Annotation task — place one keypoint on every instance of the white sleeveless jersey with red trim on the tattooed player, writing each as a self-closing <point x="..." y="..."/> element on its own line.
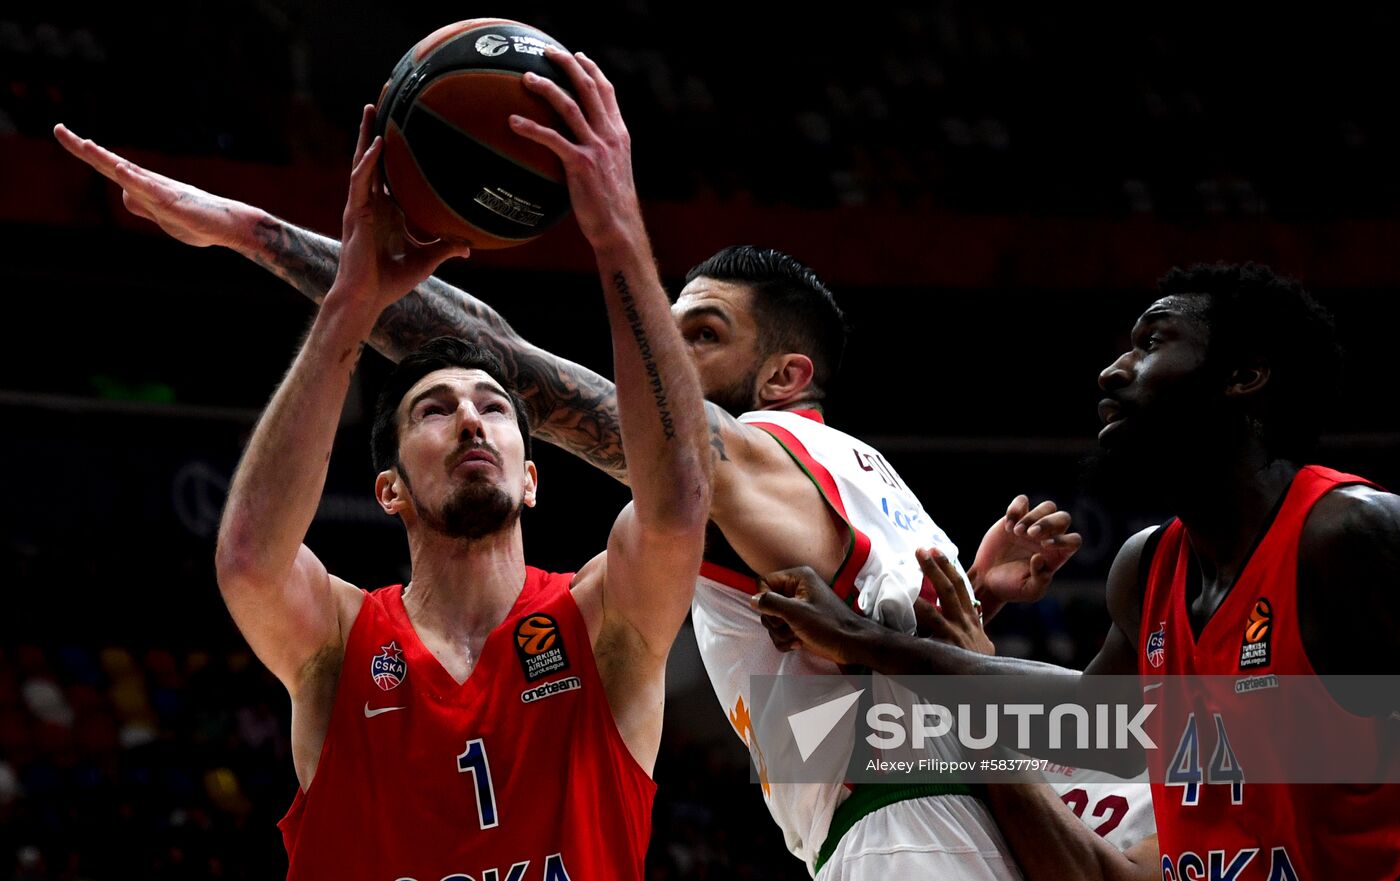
<point x="880" y="578"/>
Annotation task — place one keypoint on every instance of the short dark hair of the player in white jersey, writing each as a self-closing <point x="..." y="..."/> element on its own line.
<point x="793" y="309"/>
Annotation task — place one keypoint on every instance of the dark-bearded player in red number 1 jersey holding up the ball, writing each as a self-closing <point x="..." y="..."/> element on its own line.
<point x="488" y="721"/>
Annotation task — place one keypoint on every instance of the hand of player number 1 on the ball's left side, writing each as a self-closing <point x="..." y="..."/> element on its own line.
<point x="379" y="260"/>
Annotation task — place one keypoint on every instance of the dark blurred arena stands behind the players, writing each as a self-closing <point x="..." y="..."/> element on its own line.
<point x="992" y="193"/>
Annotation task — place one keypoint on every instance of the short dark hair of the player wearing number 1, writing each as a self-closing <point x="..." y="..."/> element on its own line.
<point x="440" y="354"/>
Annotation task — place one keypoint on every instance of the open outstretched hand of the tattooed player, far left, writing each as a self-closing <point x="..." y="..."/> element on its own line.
<point x="187" y="214"/>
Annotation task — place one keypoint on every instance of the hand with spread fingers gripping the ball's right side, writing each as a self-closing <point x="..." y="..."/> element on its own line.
<point x="598" y="162"/>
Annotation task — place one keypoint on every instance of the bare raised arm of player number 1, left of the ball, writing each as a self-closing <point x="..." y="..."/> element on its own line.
<point x="282" y="597"/>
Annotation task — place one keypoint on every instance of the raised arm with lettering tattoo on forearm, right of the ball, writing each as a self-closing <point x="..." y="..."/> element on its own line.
<point x="636" y="596"/>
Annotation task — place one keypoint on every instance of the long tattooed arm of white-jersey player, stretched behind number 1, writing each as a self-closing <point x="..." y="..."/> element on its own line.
<point x="569" y="405"/>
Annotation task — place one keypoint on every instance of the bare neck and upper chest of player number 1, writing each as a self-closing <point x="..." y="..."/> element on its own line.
<point x="464" y="590"/>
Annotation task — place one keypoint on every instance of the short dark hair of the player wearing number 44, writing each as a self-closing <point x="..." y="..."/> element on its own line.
<point x="1252" y="313"/>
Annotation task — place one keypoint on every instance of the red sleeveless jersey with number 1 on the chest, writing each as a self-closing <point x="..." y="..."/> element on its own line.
<point x="516" y="775"/>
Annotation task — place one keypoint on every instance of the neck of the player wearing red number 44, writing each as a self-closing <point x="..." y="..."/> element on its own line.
<point x="1230" y="506"/>
